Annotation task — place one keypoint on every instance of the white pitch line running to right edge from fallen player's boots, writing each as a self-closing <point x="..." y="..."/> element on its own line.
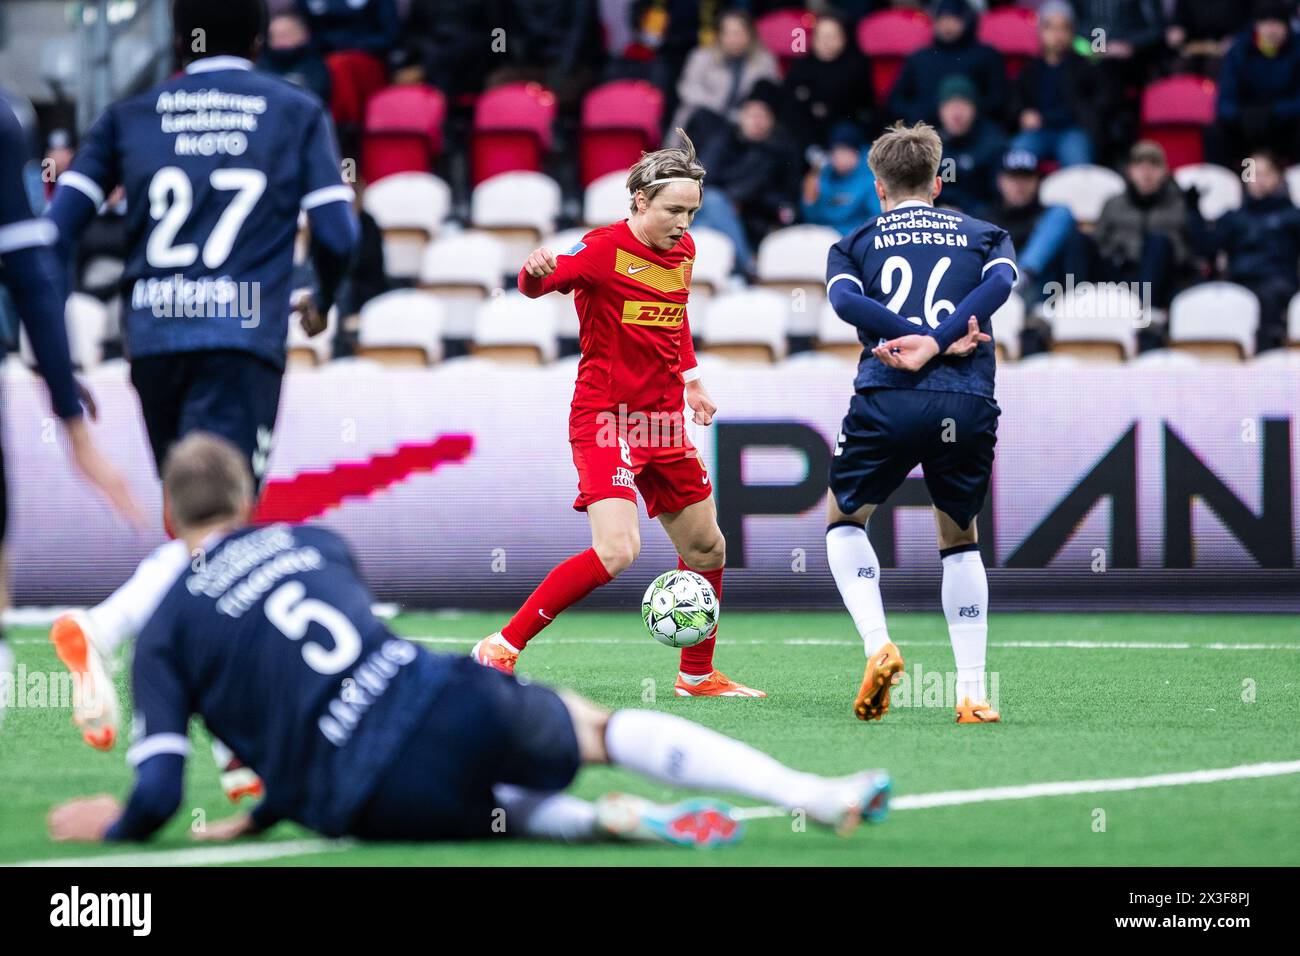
<point x="1029" y="791"/>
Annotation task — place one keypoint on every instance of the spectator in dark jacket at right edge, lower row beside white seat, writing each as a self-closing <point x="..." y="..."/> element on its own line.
<point x="1259" y="245"/>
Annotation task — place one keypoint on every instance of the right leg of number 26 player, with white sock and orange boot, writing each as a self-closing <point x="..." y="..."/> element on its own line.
<point x="965" y="596"/>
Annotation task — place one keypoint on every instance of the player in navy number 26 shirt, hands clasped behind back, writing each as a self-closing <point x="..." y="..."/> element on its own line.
<point x="924" y="396"/>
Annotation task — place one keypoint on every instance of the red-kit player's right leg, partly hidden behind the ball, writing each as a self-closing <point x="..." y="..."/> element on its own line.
<point x="701" y="548"/>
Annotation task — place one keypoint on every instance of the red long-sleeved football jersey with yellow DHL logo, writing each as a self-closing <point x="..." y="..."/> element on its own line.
<point x="632" y="319"/>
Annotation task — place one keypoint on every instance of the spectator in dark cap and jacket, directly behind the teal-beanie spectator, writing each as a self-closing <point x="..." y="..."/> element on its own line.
<point x="955" y="53"/>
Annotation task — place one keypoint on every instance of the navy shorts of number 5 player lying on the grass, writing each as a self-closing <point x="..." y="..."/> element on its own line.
<point x="484" y="729"/>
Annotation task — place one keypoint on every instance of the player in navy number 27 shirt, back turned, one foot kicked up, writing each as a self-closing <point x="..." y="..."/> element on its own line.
<point x="218" y="162"/>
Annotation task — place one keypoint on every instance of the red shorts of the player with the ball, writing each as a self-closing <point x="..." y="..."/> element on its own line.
<point x="669" y="478"/>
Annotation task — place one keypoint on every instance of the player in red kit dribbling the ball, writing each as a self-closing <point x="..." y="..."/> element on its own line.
<point x="631" y="282"/>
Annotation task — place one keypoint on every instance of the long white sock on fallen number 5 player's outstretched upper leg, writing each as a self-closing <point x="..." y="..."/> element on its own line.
<point x="677" y="751"/>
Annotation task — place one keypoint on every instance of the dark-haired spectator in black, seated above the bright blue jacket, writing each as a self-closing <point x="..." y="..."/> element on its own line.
<point x="829" y="85"/>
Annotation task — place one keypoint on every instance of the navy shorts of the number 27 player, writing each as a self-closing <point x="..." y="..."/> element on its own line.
<point x="231" y="393"/>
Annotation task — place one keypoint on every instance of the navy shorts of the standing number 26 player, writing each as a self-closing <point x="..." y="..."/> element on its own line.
<point x="889" y="432"/>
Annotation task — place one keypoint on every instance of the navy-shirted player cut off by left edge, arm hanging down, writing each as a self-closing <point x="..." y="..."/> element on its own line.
<point x="31" y="271"/>
